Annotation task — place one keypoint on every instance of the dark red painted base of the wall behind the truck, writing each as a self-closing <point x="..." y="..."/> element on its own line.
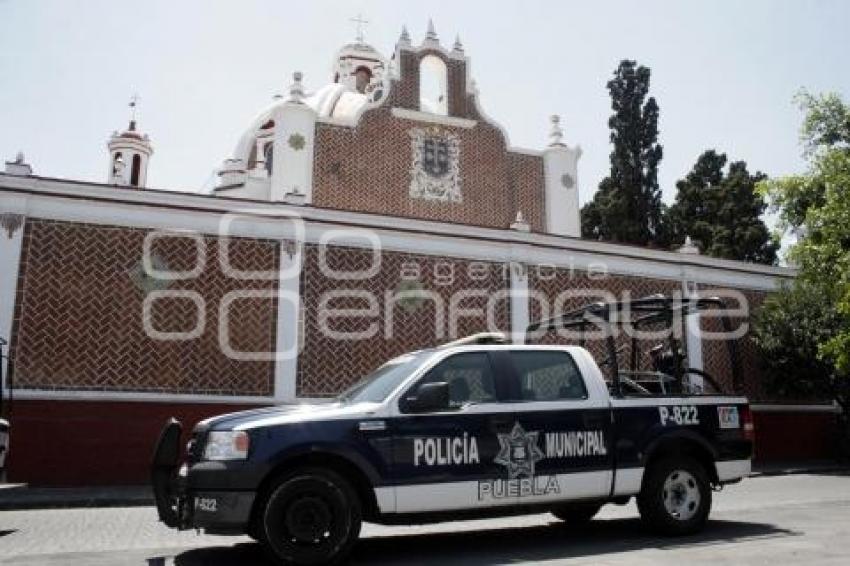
<point x="75" y="443"/>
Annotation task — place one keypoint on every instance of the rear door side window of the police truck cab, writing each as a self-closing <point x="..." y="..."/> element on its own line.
<point x="548" y="376"/>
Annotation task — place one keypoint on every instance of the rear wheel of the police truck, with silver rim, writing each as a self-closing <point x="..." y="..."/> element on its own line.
<point x="676" y="496"/>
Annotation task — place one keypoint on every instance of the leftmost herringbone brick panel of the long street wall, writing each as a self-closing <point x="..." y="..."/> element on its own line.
<point x="78" y="322"/>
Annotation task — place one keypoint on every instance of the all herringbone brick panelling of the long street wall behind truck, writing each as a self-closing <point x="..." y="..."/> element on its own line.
<point x="78" y="322"/>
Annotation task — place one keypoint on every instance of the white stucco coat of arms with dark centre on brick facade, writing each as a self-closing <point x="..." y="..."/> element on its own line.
<point x="435" y="171"/>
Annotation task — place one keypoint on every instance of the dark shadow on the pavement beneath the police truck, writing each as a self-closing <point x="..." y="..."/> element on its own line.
<point x="505" y="545"/>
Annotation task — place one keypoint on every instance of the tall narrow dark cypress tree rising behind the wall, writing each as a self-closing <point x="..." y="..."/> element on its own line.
<point x="627" y="207"/>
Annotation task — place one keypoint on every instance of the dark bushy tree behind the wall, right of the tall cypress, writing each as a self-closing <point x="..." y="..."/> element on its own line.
<point x="721" y="211"/>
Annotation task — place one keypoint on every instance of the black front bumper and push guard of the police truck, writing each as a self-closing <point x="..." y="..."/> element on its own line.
<point x="181" y="506"/>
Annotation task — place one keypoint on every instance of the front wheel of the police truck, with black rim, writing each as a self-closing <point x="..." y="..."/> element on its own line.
<point x="311" y="517"/>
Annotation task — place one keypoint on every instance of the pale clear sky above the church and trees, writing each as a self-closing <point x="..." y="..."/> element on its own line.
<point x="724" y="73"/>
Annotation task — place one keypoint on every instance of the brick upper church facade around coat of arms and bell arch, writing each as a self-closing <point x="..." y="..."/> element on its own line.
<point x="367" y="168"/>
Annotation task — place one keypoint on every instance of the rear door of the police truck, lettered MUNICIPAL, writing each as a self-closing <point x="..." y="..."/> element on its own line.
<point x="564" y="423"/>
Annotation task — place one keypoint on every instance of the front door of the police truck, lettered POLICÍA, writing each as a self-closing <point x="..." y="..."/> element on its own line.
<point x="440" y="457"/>
